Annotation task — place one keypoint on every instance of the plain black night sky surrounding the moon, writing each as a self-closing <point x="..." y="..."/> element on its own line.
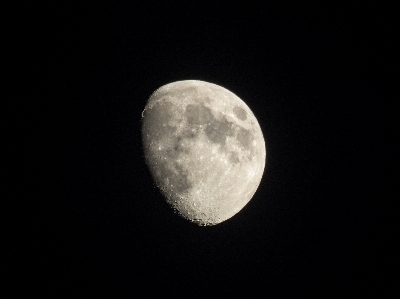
<point x="85" y="219"/>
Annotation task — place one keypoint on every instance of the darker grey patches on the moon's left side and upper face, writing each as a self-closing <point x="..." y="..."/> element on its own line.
<point x="170" y="177"/>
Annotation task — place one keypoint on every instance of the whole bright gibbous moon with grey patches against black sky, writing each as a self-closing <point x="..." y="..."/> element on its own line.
<point x="204" y="149"/>
